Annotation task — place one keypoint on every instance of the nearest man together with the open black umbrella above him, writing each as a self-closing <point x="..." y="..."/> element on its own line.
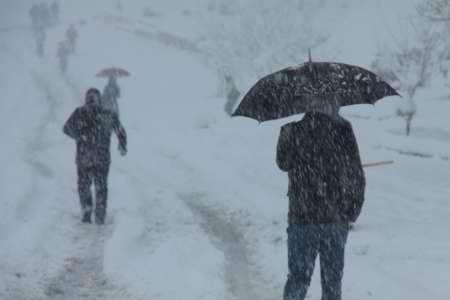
<point x="321" y="157"/>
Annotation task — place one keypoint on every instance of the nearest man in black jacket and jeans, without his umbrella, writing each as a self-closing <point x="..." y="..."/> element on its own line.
<point x="326" y="194"/>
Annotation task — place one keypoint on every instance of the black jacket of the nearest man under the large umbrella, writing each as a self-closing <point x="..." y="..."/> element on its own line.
<point x="326" y="179"/>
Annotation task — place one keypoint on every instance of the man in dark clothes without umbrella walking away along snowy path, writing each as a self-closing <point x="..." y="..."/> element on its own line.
<point x="91" y="127"/>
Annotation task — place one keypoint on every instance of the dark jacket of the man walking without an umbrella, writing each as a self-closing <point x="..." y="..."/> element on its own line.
<point x="91" y="126"/>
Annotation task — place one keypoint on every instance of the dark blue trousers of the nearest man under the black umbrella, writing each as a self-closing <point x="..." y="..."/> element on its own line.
<point x="305" y="242"/>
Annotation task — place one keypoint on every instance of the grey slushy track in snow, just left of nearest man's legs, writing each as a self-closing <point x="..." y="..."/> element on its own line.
<point x="228" y="238"/>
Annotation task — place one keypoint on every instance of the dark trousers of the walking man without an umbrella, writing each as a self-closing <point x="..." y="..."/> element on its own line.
<point x="97" y="174"/>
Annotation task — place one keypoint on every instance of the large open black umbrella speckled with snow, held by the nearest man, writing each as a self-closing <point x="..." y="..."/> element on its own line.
<point x="288" y="91"/>
